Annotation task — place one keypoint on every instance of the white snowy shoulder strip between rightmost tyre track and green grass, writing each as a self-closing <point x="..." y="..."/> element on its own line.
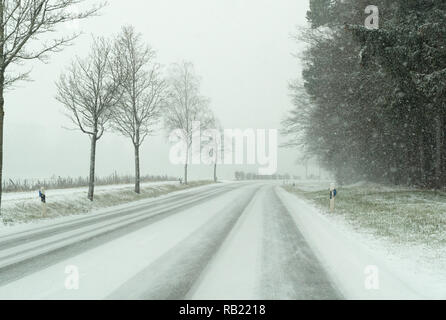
<point x="348" y="258"/>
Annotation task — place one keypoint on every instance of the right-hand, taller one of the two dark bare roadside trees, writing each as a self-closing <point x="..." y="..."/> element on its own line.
<point x="144" y="91"/>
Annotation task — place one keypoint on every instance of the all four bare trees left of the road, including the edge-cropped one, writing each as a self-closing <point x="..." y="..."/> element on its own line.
<point x="118" y="86"/>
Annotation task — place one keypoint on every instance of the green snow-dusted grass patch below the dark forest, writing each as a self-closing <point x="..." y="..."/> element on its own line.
<point x="399" y="214"/>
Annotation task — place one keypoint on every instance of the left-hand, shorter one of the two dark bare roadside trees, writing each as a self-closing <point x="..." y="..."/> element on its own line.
<point x="89" y="91"/>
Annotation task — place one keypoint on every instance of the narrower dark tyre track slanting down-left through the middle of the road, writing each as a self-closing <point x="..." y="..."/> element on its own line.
<point x="173" y="275"/>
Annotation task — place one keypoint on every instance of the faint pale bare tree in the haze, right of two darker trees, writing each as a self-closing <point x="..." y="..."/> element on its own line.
<point x="186" y="107"/>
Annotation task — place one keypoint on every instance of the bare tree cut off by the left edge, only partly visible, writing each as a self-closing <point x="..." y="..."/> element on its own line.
<point x="22" y="24"/>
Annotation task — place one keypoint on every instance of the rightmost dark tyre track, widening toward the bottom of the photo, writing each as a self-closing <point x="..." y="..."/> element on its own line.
<point x="290" y="270"/>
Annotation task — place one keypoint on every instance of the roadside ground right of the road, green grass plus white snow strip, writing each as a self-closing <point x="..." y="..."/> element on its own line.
<point x="376" y="226"/>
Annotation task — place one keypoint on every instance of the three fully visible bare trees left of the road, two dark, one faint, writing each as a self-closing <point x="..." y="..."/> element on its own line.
<point x="120" y="86"/>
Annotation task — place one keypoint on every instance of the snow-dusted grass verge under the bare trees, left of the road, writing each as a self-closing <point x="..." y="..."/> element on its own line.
<point x="25" y="207"/>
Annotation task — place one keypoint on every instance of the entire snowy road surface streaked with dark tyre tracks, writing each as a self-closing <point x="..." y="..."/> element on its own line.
<point x="226" y="241"/>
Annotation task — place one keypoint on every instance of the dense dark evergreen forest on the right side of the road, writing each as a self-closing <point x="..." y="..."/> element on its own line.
<point x="372" y="105"/>
